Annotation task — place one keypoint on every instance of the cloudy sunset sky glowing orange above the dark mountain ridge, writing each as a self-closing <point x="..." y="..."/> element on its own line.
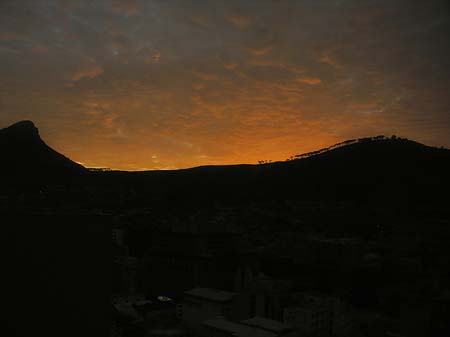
<point x="166" y="84"/>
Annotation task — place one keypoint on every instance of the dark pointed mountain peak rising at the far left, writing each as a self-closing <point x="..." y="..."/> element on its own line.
<point x="27" y="158"/>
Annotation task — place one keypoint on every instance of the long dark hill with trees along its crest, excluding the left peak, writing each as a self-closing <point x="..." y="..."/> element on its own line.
<point x="372" y="170"/>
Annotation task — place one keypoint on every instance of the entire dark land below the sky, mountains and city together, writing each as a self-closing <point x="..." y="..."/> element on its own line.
<point x="351" y="241"/>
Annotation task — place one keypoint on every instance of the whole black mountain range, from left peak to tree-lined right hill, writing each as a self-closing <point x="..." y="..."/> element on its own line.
<point x="368" y="170"/>
